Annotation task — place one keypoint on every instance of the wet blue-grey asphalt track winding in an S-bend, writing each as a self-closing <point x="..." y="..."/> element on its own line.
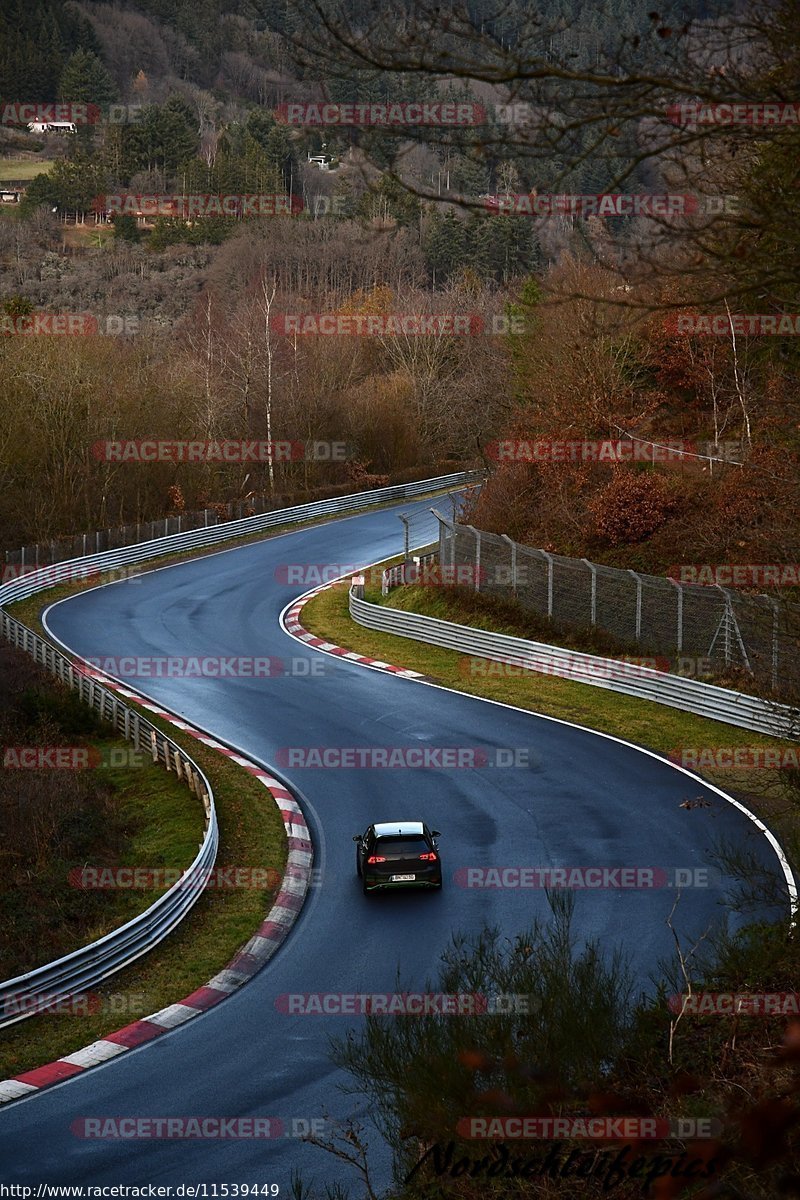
<point x="569" y="799"/>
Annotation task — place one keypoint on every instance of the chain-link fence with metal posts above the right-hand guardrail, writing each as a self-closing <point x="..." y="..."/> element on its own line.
<point x="714" y="631"/>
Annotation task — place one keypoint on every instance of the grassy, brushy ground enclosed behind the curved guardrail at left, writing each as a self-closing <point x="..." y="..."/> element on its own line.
<point x="115" y="808"/>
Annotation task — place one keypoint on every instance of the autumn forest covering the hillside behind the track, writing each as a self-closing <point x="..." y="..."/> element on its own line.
<point x="579" y="337"/>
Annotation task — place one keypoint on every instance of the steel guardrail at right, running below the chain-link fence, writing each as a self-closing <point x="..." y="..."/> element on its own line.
<point x="630" y="680"/>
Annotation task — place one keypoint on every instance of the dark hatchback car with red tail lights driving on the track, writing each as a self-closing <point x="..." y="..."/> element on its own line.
<point x="398" y="855"/>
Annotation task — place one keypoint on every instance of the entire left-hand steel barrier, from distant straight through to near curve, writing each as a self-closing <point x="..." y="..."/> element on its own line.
<point x="34" y="992"/>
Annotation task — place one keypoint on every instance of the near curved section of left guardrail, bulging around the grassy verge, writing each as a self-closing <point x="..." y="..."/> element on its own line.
<point x="34" y="992"/>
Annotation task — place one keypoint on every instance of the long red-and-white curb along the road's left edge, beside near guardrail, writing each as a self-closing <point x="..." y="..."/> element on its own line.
<point x="248" y="961"/>
